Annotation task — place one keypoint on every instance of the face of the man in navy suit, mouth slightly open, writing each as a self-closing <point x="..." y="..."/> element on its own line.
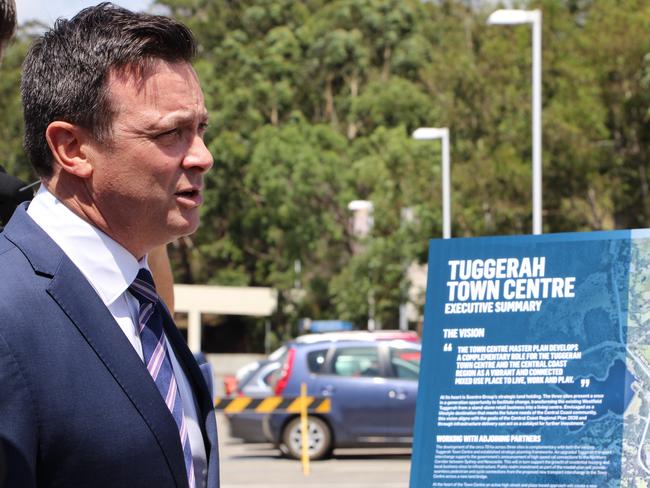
<point x="147" y="180"/>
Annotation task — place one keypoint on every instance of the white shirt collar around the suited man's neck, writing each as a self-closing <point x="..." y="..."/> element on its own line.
<point x="109" y="268"/>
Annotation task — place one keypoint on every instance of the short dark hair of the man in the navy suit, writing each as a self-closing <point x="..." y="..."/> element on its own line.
<point x="66" y="70"/>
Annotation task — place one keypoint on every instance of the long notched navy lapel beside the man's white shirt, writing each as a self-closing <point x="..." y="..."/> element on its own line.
<point x="72" y="292"/>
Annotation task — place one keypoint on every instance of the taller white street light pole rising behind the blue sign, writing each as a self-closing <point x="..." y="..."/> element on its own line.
<point x="534" y="17"/>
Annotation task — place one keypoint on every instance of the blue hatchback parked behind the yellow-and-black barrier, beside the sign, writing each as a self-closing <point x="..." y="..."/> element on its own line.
<point x="372" y="383"/>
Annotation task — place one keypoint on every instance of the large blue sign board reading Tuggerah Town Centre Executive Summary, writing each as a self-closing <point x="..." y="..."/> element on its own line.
<point x="536" y="363"/>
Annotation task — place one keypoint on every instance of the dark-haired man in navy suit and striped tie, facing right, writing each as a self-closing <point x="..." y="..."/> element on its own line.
<point x="92" y="395"/>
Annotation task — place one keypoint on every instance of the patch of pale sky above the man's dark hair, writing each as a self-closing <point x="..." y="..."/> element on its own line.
<point x="47" y="11"/>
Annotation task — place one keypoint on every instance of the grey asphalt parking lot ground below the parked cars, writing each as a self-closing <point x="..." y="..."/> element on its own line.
<point x="260" y="466"/>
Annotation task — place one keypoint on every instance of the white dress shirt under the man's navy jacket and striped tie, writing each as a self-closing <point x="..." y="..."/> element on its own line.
<point x="110" y="269"/>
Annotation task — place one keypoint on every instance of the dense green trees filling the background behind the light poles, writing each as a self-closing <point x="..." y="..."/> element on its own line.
<point x="312" y="105"/>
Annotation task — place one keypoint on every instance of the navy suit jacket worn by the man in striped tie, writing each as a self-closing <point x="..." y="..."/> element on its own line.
<point x="78" y="407"/>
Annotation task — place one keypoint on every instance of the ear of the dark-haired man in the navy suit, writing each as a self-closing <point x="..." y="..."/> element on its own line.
<point x="68" y="143"/>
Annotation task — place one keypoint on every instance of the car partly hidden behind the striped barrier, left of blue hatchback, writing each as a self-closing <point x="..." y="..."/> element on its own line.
<point x="247" y="426"/>
